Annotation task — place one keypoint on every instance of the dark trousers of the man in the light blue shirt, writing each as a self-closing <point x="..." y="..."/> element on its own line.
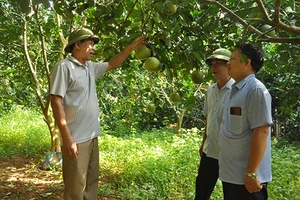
<point x="239" y="192"/>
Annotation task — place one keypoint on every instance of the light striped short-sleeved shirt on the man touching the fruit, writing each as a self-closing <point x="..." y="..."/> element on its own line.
<point x="75" y="83"/>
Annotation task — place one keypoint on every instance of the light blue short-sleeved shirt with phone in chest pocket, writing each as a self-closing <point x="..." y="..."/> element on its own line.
<point x="247" y="106"/>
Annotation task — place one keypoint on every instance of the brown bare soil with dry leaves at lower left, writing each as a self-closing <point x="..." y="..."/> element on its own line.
<point x="24" y="179"/>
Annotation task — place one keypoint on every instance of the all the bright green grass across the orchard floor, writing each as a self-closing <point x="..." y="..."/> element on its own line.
<point x="151" y="165"/>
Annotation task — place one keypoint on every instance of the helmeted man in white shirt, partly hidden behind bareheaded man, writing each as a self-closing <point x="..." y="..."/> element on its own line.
<point x="208" y="171"/>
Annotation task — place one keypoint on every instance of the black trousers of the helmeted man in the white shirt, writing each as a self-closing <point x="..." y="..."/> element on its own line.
<point x="207" y="177"/>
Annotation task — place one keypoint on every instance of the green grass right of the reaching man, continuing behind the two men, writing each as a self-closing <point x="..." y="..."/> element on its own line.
<point x="139" y="165"/>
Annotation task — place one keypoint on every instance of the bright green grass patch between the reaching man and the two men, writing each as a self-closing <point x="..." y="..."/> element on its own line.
<point x="154" y="165"/>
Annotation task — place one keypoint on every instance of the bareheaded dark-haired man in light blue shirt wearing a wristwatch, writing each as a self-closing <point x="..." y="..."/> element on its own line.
<point x="245" y="136"/>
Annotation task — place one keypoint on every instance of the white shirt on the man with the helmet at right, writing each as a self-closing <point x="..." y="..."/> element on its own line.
<point x="212" y="105"/>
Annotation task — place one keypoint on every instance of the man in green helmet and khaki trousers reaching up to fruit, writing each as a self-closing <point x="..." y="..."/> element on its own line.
<point x="75" y="108"/>
